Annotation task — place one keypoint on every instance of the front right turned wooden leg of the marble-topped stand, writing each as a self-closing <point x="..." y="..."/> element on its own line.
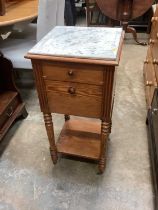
<point x="105" y="130"/>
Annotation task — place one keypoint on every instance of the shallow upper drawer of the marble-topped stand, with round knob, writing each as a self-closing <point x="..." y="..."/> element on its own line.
<point x="82" y="73"/>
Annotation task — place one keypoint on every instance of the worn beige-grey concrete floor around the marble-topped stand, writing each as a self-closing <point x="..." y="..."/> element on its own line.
<point x="29" y="181"/>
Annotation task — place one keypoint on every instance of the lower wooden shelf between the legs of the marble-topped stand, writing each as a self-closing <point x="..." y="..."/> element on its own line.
<point x="80" y="138"/>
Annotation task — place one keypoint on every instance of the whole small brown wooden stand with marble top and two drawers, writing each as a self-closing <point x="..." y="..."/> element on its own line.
<point x="80" y="86"/>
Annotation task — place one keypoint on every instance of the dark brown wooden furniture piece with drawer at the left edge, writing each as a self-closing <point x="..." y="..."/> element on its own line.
<point x="11" y="105"/>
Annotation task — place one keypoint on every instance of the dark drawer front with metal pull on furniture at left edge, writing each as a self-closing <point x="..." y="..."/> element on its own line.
<point x="9" y="111"/>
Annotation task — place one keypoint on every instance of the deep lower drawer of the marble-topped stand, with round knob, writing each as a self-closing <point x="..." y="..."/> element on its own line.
<point x="74" y="98"/>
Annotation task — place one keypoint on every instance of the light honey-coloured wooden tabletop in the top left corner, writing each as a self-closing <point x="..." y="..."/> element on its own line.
<point x="19" y="12"/>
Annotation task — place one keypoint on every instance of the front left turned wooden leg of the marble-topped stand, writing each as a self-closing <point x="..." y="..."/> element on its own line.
<point x="50" y="133"/>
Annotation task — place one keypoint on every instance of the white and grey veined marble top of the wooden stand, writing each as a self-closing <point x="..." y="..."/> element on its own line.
<point x="80" y="42"/>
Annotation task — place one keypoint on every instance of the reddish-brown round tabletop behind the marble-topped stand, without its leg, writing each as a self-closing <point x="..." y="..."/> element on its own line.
<point x="110" y="8"/>
